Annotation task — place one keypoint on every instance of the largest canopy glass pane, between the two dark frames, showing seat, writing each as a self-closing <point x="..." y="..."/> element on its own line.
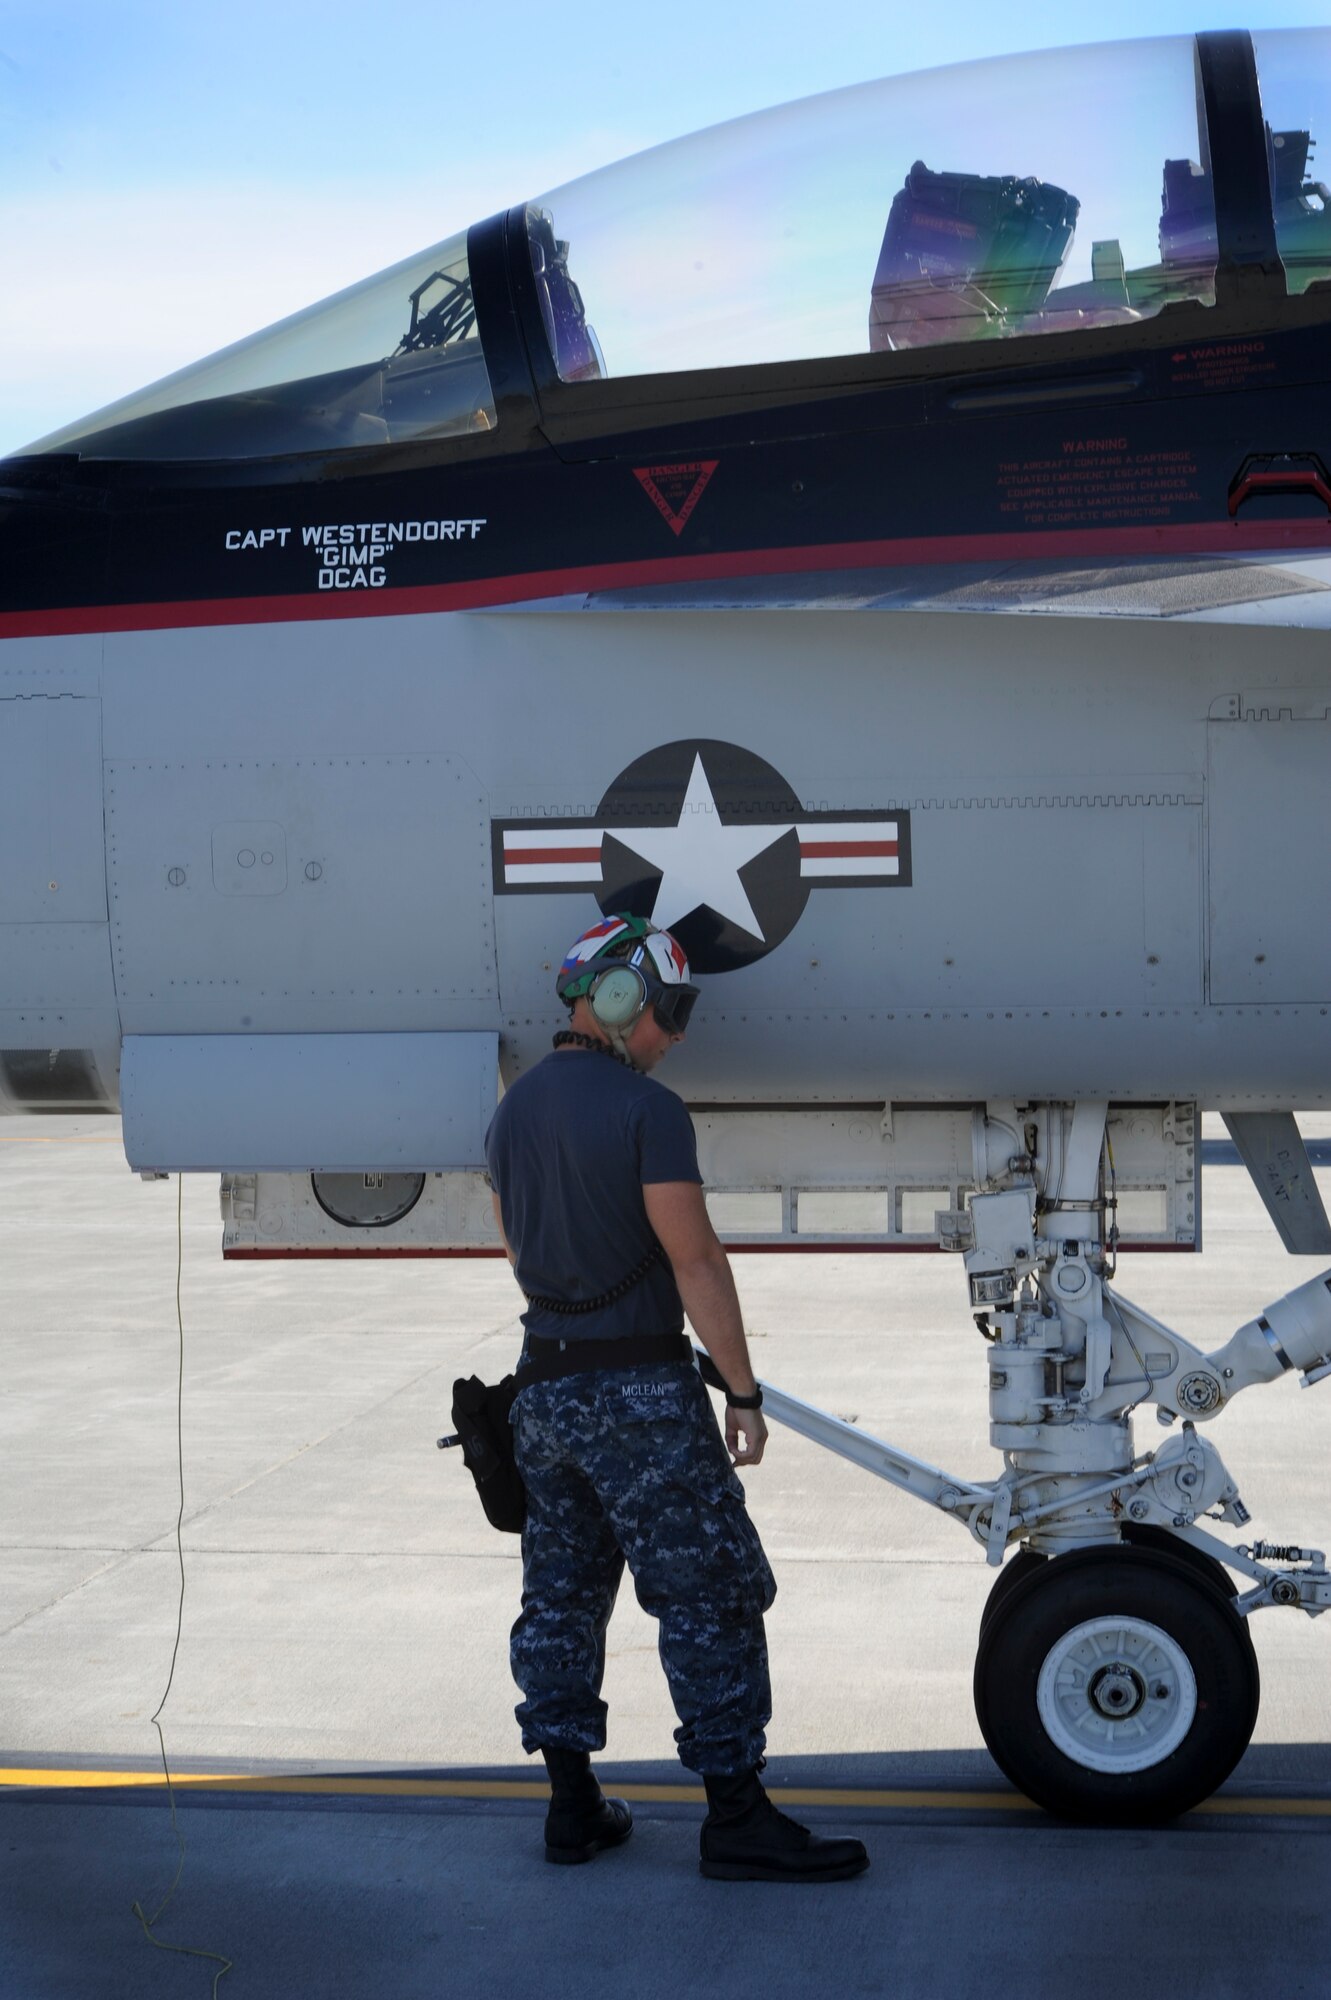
<point x="1024" y="195"/>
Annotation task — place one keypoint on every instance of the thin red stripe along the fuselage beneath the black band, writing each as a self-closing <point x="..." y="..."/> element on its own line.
<point x="1216" y="539"/>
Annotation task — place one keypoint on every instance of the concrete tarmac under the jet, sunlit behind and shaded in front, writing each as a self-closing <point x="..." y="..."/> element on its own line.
<point x="347" y="1619"/>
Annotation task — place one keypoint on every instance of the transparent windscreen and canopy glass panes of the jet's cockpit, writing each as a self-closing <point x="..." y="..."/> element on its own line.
<point x="1022" y="197"/>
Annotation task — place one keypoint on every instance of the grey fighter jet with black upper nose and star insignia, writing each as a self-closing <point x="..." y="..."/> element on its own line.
<point x="884" y="541"/>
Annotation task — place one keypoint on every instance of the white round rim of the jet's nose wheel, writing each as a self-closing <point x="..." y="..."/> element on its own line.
<point x="1116" y="1695"/>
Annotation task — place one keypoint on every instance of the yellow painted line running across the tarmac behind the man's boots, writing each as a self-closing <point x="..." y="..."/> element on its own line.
<point x="649" y="1795"/>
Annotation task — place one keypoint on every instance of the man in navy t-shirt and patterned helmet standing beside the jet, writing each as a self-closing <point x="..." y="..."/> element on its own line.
<point x="597" y="1191"/>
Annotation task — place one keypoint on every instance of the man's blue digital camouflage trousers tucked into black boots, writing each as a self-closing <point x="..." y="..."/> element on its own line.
<point x="629" y="1467"/>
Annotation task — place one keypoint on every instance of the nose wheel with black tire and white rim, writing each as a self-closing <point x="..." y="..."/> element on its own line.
<point x="1116" y="1687"/>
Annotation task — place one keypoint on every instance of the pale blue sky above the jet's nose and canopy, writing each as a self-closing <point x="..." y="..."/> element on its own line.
<point x="175" y="177"/>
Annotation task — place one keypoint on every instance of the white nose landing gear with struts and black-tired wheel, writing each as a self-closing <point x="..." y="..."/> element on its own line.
<point x="1116" y="1677"/>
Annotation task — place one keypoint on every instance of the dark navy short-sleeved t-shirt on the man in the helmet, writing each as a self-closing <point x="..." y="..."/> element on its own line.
<point x="571" y="1149"/>
